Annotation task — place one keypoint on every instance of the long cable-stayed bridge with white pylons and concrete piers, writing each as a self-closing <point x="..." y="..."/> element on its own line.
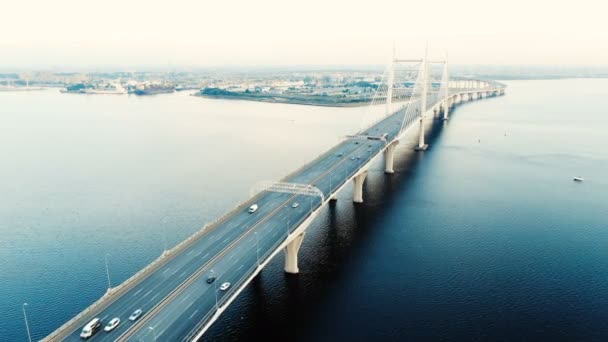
<point x="174" y="293"/>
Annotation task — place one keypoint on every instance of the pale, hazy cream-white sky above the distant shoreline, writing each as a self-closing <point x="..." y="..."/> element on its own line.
<point x="80" y="33"/>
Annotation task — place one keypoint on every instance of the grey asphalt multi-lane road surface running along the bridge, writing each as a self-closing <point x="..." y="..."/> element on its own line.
<point x="176" y="297"/>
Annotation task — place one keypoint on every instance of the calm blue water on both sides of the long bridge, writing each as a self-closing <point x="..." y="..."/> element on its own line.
<point x="483" y="237"/>
